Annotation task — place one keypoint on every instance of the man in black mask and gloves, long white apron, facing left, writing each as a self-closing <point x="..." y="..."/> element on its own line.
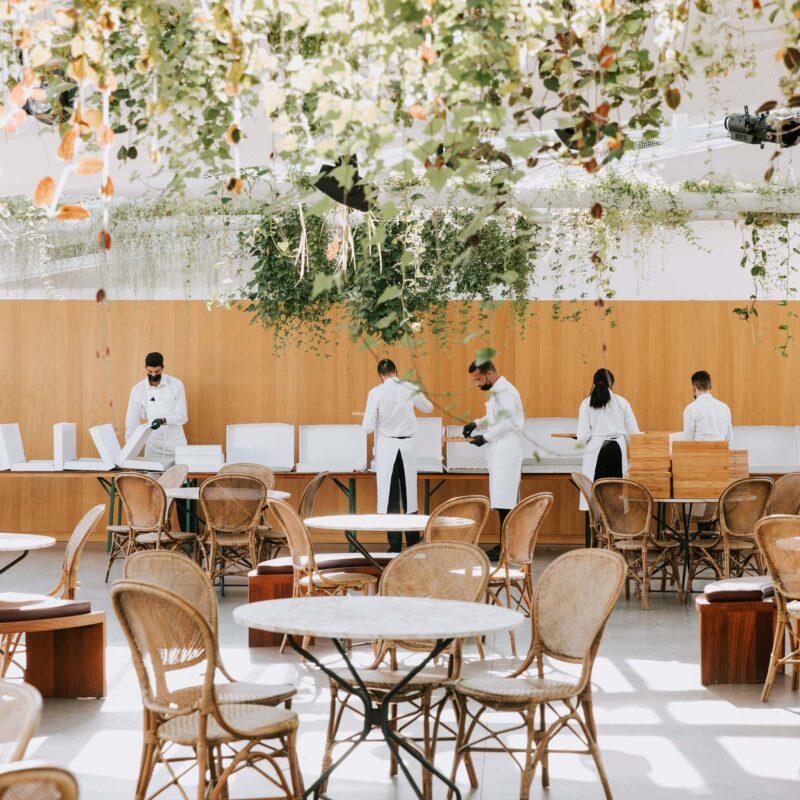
<point x="501" y="430"/>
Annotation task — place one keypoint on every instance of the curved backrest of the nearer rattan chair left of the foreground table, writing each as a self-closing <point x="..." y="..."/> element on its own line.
<point x="169" y="639"/>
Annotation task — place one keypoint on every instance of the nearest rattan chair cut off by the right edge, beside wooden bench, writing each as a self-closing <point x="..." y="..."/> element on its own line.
<point x="778" y="540"/>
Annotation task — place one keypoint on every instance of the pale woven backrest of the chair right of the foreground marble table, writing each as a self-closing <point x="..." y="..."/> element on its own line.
<point x="571" y="603"/>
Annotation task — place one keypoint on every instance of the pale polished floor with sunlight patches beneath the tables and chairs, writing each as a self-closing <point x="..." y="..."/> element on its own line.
<point x="662" y="734"/>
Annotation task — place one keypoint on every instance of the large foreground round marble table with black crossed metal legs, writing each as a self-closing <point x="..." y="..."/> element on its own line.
<point x="376" y="617"/>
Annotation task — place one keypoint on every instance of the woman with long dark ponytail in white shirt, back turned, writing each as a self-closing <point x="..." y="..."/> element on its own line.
<point x="604" y="421"/>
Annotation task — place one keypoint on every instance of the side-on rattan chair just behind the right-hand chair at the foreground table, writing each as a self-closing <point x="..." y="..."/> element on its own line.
<point x="512" y="577"/>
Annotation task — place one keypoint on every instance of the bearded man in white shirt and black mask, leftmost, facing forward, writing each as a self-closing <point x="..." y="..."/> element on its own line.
<point x="160" y="400"/>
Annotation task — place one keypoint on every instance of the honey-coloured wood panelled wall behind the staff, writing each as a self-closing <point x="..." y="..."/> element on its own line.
<point x="75" y="361"/>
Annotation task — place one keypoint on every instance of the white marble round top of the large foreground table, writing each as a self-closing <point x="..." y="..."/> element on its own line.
<point x="376" y="617"/>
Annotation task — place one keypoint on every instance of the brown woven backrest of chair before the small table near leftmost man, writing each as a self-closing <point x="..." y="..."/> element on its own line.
<point x="232" y="503"/>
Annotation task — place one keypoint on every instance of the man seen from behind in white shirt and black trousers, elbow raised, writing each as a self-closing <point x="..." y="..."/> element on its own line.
<point x="390" y="416"/>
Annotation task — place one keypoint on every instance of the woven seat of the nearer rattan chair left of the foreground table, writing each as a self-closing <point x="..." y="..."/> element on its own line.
<point x="254" y="720"/>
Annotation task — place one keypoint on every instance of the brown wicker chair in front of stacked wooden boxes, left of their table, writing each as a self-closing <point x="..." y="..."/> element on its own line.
<point x="626" y="508"/>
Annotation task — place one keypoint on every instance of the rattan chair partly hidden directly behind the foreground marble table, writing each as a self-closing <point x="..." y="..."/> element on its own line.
<point x="441" y="570"/>
